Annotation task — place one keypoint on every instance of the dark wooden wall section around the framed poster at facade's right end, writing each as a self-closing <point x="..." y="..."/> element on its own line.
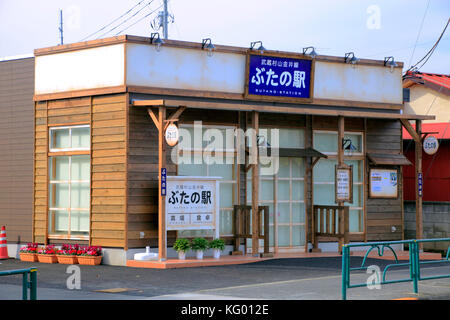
<point x="384" y="136"/>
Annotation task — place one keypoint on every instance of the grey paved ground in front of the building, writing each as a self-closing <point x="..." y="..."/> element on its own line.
<point x="278" y="279"/>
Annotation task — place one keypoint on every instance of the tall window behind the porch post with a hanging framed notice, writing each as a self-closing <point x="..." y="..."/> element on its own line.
<point x="324" y="174"/>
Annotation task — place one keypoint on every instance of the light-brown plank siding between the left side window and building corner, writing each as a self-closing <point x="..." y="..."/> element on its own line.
<point x="108" y="177"/>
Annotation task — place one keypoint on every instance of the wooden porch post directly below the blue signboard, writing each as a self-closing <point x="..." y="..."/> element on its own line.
<point x="255" y="184"/>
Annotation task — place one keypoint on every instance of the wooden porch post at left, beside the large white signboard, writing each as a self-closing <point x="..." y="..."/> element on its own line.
<point x="162" y="234"/>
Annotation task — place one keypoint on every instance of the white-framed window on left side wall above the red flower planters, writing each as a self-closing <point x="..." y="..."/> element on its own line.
<point x="69" y="182"/>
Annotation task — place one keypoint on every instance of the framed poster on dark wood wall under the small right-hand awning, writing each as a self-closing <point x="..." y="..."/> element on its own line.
<point x="383" y="183"/>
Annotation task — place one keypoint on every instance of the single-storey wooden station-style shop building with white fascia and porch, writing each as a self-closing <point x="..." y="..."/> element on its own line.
<point x="101" y="108"/>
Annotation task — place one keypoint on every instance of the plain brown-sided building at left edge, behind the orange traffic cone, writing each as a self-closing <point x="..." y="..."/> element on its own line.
<point x="16" y="148"/>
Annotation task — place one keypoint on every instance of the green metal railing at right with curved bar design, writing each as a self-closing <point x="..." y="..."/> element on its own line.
<point x="413" y="263"/>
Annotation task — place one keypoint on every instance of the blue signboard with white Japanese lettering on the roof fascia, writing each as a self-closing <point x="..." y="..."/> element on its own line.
<point x="279" y="77"/>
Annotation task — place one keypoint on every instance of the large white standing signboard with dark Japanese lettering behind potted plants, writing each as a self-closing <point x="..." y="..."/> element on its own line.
<point x="192" y="203"/>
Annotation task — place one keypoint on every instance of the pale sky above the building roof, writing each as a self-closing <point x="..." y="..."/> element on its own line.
<point x="405" y="29"/>
